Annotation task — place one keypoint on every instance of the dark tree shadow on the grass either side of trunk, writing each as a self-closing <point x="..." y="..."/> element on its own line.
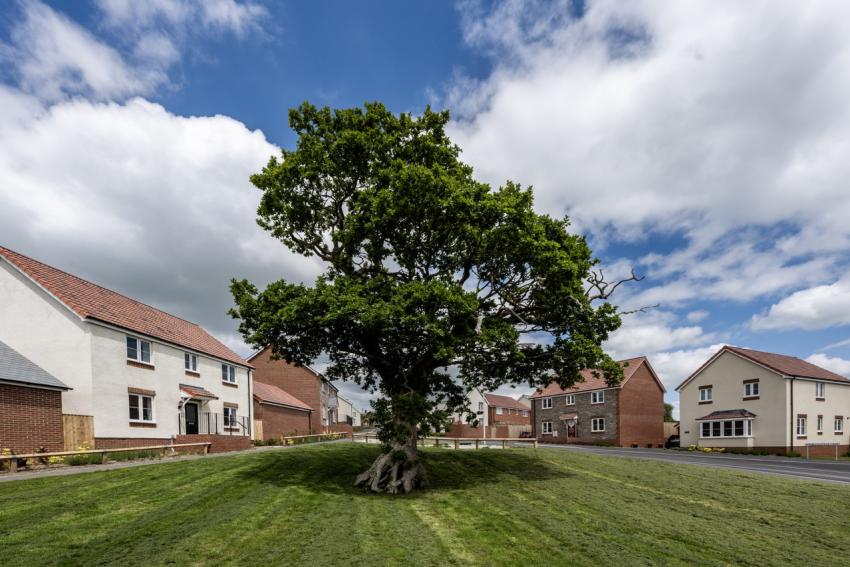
<point x="333" y="468"/>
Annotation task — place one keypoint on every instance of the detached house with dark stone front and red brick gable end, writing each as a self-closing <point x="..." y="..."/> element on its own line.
<point x="630" y="414"/>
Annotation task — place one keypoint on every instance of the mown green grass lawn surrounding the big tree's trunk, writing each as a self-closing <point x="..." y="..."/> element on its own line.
<point x="490" y="507"/>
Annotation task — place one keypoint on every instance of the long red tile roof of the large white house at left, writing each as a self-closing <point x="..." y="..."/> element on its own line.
<point x="91" y="301"/>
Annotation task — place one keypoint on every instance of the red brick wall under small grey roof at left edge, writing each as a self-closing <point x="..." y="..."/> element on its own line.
<point x="30" y="418"/>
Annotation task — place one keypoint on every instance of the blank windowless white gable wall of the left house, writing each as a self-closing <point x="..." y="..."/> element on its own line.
<point x="45" y="331"/>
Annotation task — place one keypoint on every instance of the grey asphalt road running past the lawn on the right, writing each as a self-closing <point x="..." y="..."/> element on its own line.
<point x="800" y="468"/>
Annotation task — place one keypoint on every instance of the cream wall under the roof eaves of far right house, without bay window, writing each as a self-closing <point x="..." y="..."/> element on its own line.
<point x="837" y="402"/>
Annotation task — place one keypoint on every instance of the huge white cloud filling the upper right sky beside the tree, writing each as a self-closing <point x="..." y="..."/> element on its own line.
<point x="725" y="123"/>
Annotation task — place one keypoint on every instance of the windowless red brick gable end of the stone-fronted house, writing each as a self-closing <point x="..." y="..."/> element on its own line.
<point x="641" y="411"/>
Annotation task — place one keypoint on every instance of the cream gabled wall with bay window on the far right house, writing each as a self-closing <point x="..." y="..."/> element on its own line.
<point x="726" y="375"/>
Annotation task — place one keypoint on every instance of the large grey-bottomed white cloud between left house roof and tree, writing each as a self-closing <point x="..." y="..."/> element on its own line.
<point x="145" y="202"/>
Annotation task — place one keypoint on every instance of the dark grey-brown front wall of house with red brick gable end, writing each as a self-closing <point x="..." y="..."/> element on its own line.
<point x="585" y="411"/>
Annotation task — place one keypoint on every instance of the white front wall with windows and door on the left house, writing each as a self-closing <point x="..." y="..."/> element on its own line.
<point x="112" y="376"/>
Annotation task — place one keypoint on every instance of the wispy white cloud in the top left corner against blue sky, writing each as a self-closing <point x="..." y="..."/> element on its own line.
<point x="52" y="56"/>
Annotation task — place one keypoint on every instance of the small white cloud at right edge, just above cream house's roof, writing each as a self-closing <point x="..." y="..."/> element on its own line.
<point x="817" y="307"/>
